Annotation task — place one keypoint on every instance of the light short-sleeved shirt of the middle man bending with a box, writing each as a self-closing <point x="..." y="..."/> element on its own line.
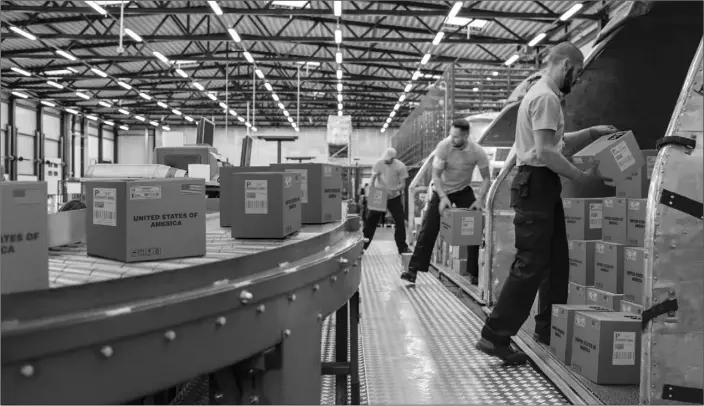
<point x="458" y="164"/>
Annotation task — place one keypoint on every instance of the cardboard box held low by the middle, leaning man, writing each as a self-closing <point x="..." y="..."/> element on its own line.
<point x="462" y="226"/>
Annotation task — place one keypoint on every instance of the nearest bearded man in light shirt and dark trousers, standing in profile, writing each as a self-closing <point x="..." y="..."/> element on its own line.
<point x="541" y="262"/>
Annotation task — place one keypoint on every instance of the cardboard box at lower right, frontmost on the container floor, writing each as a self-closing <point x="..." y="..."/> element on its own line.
<point x="606" y="347"/>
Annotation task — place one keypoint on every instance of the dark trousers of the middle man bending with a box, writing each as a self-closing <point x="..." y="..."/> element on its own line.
<point x="420" y="261"/>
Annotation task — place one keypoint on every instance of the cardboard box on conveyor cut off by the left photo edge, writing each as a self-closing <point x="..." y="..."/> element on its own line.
<point x="25" y="246"/>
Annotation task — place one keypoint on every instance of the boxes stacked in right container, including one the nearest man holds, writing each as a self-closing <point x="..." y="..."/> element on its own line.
<point x="598" y="331"/>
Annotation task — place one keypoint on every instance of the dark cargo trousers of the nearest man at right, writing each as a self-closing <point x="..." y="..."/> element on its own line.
<point x="542" y="261"/>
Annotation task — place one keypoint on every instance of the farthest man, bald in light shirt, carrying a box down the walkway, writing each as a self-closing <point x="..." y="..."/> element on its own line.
<point x="391" y="174"/>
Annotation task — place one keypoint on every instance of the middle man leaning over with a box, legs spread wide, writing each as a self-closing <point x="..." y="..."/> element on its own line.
<point x="453" y="165"/>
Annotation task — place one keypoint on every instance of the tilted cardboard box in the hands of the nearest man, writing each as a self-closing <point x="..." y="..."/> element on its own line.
<point x="618" y="155"/>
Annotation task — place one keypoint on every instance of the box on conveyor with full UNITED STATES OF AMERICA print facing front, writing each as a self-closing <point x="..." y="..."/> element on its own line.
<point x="134" y="220"/>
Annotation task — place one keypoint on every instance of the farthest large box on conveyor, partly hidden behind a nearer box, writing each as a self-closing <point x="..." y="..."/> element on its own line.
<point x="321" y="191"/>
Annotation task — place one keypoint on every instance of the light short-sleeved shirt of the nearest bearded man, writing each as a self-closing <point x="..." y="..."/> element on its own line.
<point x="540" y="109"/>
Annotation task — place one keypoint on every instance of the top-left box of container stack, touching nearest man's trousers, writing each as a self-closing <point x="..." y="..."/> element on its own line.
<point x="583" y="218"/>
